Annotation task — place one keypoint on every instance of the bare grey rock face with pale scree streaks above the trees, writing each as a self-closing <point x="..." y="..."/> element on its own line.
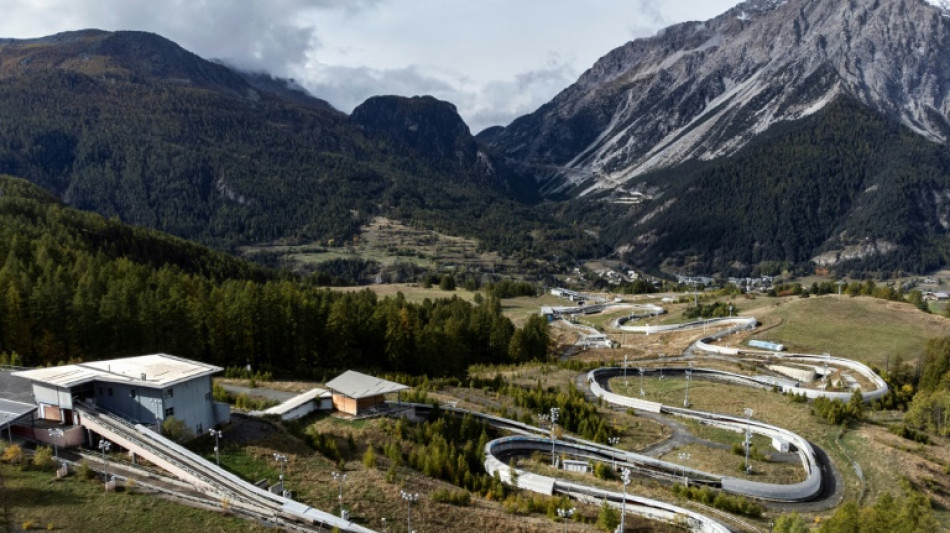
<point x="703" y="90"/>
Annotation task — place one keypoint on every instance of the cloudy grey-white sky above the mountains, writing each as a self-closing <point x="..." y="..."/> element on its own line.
<point x="494" y="59"/>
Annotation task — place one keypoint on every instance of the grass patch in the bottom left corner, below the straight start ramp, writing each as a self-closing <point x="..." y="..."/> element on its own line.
<point x="74" y="505"/>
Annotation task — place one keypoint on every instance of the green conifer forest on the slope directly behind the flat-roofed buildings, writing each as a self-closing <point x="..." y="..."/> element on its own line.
<point x="74" y="285"/>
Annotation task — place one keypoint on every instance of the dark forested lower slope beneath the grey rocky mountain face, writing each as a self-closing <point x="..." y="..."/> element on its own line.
<point x="845" y="180"/>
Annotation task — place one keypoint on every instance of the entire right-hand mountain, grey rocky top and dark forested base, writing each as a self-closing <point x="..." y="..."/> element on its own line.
<point x="697" y="149"/>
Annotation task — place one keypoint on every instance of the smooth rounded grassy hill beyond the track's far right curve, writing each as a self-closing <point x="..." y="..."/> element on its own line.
<point x="864" y="329"/>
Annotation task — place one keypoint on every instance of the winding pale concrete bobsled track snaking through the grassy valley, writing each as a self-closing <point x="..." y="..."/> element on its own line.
<point x="818" y="471"/>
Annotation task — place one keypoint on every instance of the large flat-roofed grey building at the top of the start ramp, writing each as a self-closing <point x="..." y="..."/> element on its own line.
<point x="144" y="390"/>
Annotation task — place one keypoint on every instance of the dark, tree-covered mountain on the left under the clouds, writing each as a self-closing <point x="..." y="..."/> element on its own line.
<point x="129" y="124"/>
